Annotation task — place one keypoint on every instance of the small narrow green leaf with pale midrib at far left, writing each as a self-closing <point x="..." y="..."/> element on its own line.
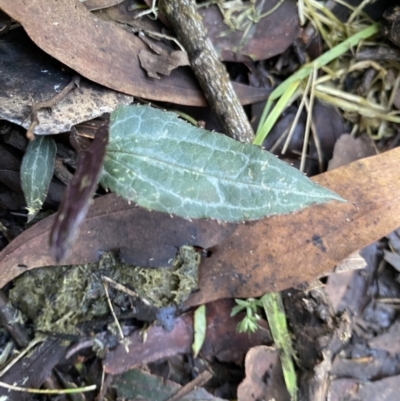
<point x="37" y="171"/>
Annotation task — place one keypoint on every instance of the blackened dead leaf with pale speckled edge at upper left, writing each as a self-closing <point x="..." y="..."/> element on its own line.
<point x="31" y="76"/>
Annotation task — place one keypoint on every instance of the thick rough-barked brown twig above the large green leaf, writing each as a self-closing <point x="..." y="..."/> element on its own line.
<point x="209" y="70"/>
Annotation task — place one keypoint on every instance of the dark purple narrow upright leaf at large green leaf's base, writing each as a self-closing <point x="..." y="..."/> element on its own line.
<point x="79" y="192"/>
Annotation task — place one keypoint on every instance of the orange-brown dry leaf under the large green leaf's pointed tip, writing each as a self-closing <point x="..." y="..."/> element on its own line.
<point x="282" y="251"/>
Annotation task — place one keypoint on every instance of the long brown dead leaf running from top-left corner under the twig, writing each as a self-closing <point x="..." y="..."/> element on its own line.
<point x="105" y="53"/>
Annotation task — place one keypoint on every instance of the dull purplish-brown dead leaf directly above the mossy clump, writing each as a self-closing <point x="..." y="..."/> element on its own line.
<point x="142" y="238"/>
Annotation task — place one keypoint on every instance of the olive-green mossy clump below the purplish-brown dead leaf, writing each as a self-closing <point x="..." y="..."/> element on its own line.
<point x="58" y="298"/>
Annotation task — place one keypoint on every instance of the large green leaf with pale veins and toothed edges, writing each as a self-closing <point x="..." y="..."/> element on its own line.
<point x="163" y="163"/>
